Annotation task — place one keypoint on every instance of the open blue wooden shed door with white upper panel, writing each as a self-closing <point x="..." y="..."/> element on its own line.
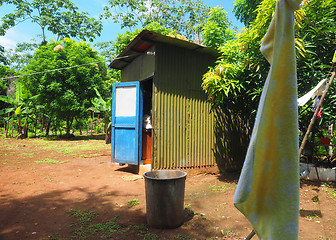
<point x="126" y="123"/>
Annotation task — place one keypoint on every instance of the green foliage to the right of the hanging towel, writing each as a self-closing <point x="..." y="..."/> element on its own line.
<point x="316" y="63"/>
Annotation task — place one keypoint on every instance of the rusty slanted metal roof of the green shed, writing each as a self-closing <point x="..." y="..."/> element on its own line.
<point x="146" y="39"/>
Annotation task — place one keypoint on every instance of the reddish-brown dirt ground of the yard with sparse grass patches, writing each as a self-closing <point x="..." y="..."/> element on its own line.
<point x="69" y="189"/>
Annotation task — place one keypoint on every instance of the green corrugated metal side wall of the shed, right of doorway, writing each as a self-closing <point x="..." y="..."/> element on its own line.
<point x="183" y="126"/>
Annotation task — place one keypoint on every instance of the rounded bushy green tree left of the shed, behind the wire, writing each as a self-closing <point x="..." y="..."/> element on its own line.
<point x="66" y="93"/>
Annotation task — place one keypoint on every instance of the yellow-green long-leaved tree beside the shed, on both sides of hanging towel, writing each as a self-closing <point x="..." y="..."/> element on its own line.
<point x="237" y="80"/>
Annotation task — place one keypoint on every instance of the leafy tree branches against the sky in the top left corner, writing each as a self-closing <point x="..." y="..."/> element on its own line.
<point x="61" y="17"/>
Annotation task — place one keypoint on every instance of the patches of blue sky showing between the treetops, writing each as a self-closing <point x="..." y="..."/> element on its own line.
<point x="26" y="31"/>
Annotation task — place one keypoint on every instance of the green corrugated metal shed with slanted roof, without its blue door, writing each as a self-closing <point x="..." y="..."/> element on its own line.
<point x="170" y="72"/>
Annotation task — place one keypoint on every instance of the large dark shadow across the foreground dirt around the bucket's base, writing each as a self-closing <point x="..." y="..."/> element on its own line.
<point x="48" y="216"/>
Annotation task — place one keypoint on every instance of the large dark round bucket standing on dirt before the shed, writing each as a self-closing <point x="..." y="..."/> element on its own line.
<point x="165" y="198"/>
